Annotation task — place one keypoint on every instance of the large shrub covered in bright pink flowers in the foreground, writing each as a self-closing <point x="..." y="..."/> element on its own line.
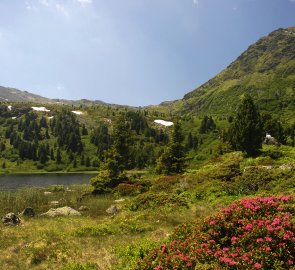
<point x="255" y="233"/>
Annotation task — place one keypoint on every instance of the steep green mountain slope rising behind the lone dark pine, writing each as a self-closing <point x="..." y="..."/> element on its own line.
<point x="266" y="70"/>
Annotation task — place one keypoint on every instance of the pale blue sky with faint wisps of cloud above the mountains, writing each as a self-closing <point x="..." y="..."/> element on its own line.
<point x="135" y="52"/>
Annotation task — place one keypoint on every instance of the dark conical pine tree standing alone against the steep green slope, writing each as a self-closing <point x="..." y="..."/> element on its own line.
<point x="246" y="133"/>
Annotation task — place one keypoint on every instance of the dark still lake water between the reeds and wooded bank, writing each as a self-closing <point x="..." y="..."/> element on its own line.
<point x="13" y="182"/>
